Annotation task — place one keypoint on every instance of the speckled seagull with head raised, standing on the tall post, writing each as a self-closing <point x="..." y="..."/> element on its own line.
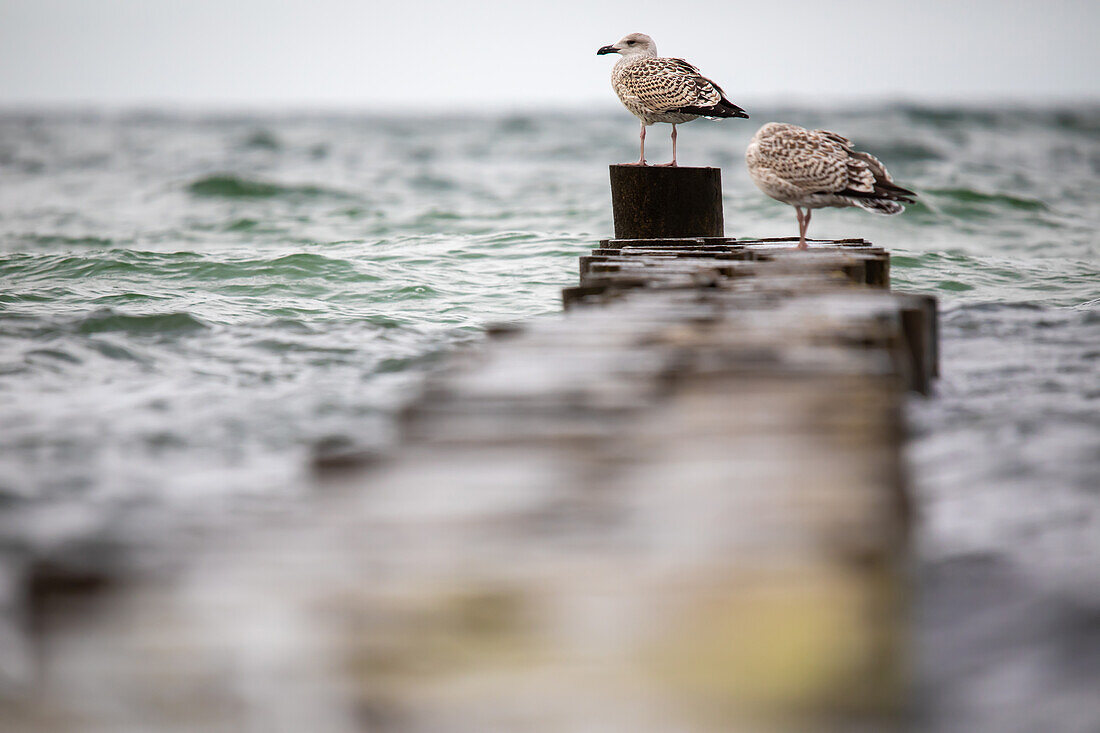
<point x="658" y="90"/>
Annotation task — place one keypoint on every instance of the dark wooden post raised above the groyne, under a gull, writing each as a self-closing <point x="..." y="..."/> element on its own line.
<point x="655" y="203"/>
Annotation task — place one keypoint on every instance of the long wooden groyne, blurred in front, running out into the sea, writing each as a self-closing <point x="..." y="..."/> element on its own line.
<point x="678" y="507"/>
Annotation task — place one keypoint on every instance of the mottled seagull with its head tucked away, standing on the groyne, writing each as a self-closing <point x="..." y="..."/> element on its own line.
<point x="815" y="169"/>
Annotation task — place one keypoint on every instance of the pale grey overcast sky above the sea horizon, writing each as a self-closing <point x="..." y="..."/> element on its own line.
<point x="437" y="57"/>
